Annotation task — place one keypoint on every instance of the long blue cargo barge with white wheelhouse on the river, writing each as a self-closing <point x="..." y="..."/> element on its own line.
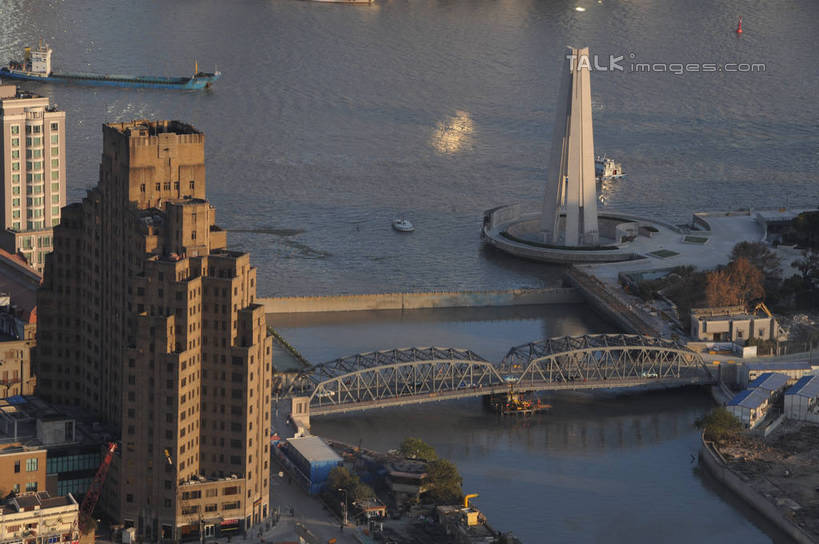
<point x="36" y="66"/>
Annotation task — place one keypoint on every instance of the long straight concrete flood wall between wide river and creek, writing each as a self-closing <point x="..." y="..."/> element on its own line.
<point x="418" y="301"/>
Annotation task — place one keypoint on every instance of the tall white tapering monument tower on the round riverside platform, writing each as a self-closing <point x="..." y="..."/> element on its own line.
<point x="570" y="204"/>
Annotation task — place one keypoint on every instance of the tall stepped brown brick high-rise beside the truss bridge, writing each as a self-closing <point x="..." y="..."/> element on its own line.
<point x="148" y="322"/>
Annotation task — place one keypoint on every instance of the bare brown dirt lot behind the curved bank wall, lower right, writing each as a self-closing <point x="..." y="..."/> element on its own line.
<point x="784" y="467"/>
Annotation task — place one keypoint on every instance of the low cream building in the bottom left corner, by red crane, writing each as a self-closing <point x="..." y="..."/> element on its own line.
<point x="39" y="518"/>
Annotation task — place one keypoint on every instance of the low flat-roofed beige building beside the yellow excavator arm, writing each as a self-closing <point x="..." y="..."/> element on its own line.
<point x="733" y="324"/>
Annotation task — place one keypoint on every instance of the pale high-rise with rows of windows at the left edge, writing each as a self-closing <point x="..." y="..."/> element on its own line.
<point x="32" y="173"/>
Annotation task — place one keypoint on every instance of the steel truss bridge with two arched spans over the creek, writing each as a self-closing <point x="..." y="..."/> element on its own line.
<point x="414" y="375"/>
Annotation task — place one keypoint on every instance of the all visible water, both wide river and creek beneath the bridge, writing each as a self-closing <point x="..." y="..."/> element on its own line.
<point x="331" y="120"/>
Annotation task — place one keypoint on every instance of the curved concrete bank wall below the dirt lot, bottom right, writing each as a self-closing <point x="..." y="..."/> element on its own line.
<point x="718" y="468"/>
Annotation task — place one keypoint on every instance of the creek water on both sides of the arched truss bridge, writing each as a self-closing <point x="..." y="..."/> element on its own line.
<point x="597" y="468"/>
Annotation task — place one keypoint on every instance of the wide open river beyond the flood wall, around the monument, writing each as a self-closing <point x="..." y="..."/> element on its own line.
<point x="331" y="120"/>
